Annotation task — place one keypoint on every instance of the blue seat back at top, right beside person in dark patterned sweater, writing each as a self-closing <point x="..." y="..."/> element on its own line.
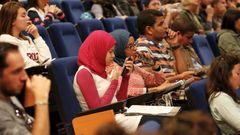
<point x="73" y="10"/>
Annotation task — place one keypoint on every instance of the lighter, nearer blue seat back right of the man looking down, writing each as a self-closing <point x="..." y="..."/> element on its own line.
<point x="203" y="50"/>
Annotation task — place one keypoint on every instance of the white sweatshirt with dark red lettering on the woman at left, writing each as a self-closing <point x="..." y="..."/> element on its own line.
<point x="34" y="52"/>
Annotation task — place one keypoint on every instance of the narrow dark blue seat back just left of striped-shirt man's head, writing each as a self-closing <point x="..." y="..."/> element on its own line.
<point x="131" y="23"/>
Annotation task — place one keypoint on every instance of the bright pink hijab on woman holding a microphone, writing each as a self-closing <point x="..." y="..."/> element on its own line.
<point x="93" y="52"/>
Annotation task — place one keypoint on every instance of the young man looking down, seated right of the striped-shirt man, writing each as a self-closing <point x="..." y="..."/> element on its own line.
<point x="184" y="52"/>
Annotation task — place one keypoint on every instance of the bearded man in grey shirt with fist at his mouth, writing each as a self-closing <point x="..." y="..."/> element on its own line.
<point x="13" y="78"/>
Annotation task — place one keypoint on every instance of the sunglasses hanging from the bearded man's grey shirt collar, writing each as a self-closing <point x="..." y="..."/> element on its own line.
<point x="21" y="114"/>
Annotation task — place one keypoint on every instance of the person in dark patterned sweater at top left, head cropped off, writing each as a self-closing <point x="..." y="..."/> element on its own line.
<point x="43" y="14"/>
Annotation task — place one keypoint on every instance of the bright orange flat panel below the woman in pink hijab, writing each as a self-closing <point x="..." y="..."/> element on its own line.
<point x="89" y="124"/>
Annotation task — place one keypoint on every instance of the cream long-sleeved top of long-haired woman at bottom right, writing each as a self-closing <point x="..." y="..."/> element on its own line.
<point x="226" y="113"/>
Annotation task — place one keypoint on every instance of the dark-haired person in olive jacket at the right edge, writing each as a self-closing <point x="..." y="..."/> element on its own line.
<point x="228" y="37"/>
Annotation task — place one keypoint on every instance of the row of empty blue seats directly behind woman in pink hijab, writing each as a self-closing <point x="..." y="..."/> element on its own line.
<point x="64" y="39"/>
